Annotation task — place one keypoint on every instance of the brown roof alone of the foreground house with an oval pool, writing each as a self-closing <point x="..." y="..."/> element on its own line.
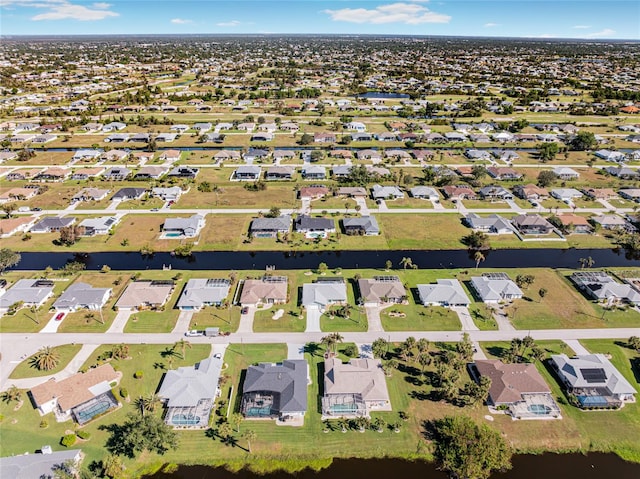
<point x="510" y="381"/>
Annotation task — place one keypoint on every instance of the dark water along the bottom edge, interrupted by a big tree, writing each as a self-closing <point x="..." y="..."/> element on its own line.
<point x="570" y="466"/>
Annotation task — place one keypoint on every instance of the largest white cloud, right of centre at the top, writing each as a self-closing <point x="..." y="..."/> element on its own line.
<point x="407" y="13"/>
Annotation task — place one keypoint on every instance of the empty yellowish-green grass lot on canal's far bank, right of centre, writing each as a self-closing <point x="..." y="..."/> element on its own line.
<point x="429" y="231"/>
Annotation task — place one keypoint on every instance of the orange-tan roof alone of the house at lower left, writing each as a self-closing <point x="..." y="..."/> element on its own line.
<point x="75" y="390"/>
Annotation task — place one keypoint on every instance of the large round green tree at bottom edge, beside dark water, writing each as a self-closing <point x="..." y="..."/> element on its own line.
<point x="468" y="450"/>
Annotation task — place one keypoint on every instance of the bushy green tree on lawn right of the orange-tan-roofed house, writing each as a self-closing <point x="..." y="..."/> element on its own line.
<point x="141" y="433"/>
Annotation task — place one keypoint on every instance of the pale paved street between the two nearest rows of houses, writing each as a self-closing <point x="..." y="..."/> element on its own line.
<point x="16" y="345"/>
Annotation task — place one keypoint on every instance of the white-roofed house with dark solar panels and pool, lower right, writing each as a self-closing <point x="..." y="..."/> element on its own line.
<point x="593" y="380"/>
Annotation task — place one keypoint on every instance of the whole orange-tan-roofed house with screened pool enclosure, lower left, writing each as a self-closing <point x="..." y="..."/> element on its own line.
<point x="77" y="396"/>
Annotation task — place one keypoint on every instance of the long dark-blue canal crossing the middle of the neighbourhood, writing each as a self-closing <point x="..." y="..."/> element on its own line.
<point x="424" y="259"/>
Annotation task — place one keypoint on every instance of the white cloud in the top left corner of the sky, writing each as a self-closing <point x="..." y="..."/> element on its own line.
<point x="64" y="10"/>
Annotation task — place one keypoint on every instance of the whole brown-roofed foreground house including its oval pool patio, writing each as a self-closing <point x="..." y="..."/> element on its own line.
<point x="518" y="388"/>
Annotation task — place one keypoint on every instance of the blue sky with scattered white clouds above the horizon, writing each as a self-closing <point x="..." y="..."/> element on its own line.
<point x="588" y="19"/>
